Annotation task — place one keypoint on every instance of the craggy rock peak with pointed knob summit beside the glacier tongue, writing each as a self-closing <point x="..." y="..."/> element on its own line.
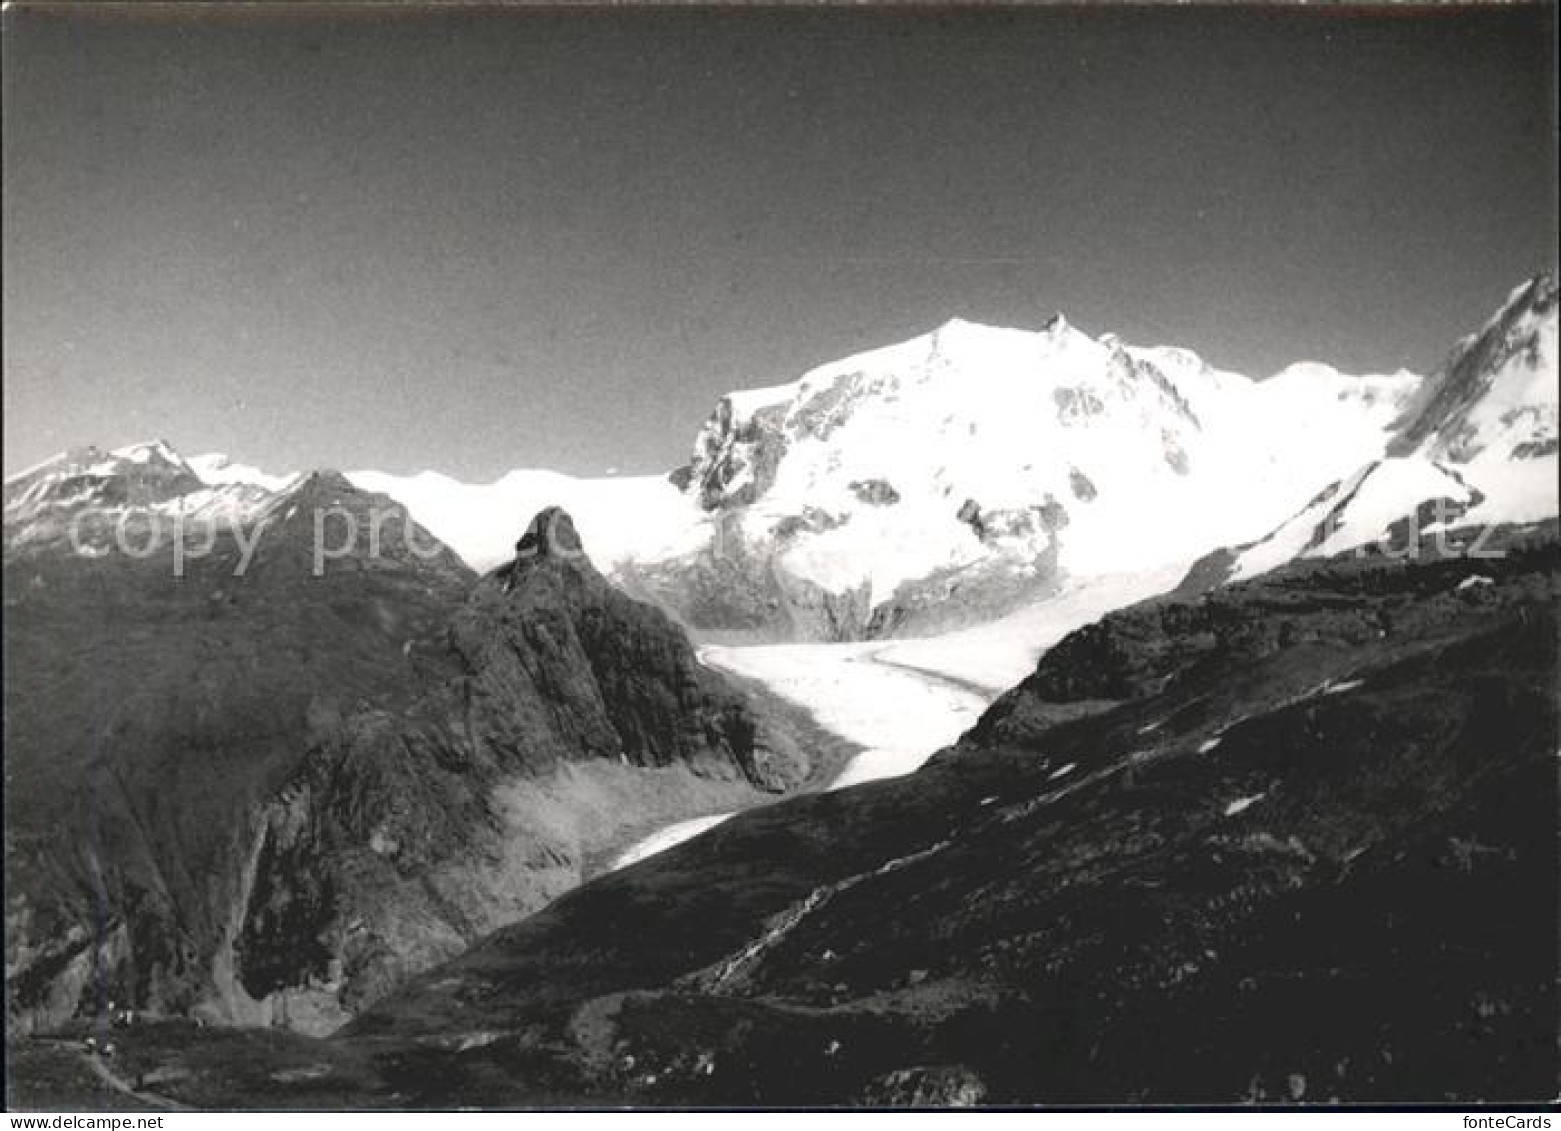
<point x="405" y="842"/>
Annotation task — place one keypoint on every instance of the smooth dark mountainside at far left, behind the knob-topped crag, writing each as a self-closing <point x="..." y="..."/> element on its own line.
<point x="155" y="701"/>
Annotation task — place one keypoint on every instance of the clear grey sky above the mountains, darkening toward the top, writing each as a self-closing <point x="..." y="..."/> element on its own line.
<point x="478" y="239"/>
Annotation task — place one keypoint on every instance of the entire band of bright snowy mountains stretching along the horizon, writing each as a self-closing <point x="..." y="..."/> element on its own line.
<point x="962" y="475"/>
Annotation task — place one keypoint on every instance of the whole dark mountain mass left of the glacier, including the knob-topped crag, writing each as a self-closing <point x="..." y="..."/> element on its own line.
<point x="271" y="767"/>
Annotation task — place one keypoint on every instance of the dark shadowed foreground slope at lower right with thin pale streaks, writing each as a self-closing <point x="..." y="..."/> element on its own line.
<point x="1293" y="840"/>
